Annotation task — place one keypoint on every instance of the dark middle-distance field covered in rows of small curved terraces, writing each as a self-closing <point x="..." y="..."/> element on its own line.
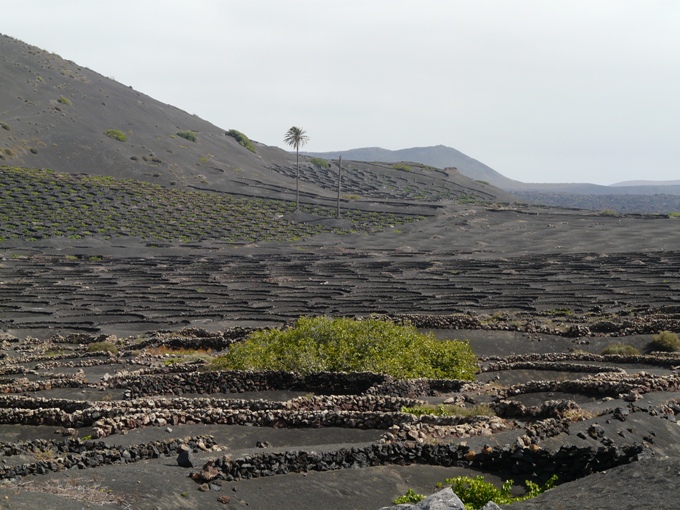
<point x="108" y="293"/>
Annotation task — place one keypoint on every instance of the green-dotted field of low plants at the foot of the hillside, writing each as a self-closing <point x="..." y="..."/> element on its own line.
<point x="39" y="204"/>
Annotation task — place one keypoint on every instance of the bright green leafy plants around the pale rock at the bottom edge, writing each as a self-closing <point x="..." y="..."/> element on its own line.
<point x="476" y="492"/>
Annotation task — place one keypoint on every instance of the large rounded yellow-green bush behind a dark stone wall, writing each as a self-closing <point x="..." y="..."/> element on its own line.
<point x="345" y="345"/>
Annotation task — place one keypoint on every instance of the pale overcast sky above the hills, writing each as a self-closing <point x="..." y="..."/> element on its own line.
<point x="541" y="91"/>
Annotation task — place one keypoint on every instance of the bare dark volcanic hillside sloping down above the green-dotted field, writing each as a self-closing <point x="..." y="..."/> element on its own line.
<point x="56" y="114"/>
